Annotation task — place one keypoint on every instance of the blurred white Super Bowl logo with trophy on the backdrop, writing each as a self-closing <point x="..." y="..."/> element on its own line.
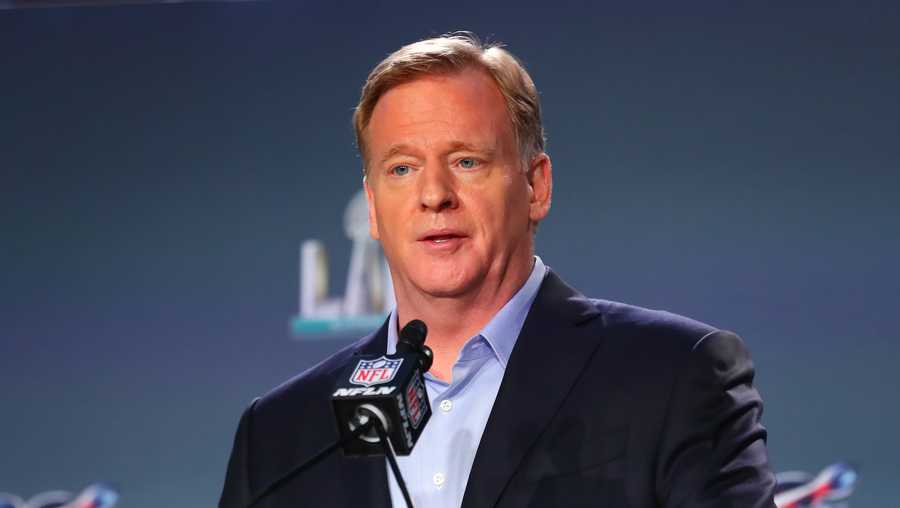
<point x="368" y="294"/>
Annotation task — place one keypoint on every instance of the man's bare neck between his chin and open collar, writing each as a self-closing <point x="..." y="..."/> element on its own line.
<point x="452" y="321"/>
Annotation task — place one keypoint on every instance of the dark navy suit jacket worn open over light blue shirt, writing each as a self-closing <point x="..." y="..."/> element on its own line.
<point x="602" y="404"/>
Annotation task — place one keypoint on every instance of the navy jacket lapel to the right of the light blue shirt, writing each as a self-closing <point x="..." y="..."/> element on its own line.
<point x="548" y="357"/>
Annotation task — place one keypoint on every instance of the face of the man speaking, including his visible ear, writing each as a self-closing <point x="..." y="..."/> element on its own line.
<point x="449" y="198"/>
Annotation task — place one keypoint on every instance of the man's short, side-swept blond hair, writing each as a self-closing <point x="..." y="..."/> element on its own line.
<point x="449" y="54"/>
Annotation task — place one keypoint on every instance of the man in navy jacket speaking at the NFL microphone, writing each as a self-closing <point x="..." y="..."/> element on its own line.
<point x="542" y="397"/>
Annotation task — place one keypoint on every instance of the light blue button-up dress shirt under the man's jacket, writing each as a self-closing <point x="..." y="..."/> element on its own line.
<point x="437" y="470"/>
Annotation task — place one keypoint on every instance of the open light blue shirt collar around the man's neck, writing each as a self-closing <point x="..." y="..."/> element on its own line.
<point x="503" y="329"/>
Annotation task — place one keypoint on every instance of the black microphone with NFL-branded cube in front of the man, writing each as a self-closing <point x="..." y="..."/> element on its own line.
<point x="387" y="391"/>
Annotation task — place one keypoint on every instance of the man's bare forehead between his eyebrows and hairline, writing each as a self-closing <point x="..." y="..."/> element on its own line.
<point x="440" y="110"/>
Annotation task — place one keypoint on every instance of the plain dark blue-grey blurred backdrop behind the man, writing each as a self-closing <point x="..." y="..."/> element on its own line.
<point x="161" y="164"/>
